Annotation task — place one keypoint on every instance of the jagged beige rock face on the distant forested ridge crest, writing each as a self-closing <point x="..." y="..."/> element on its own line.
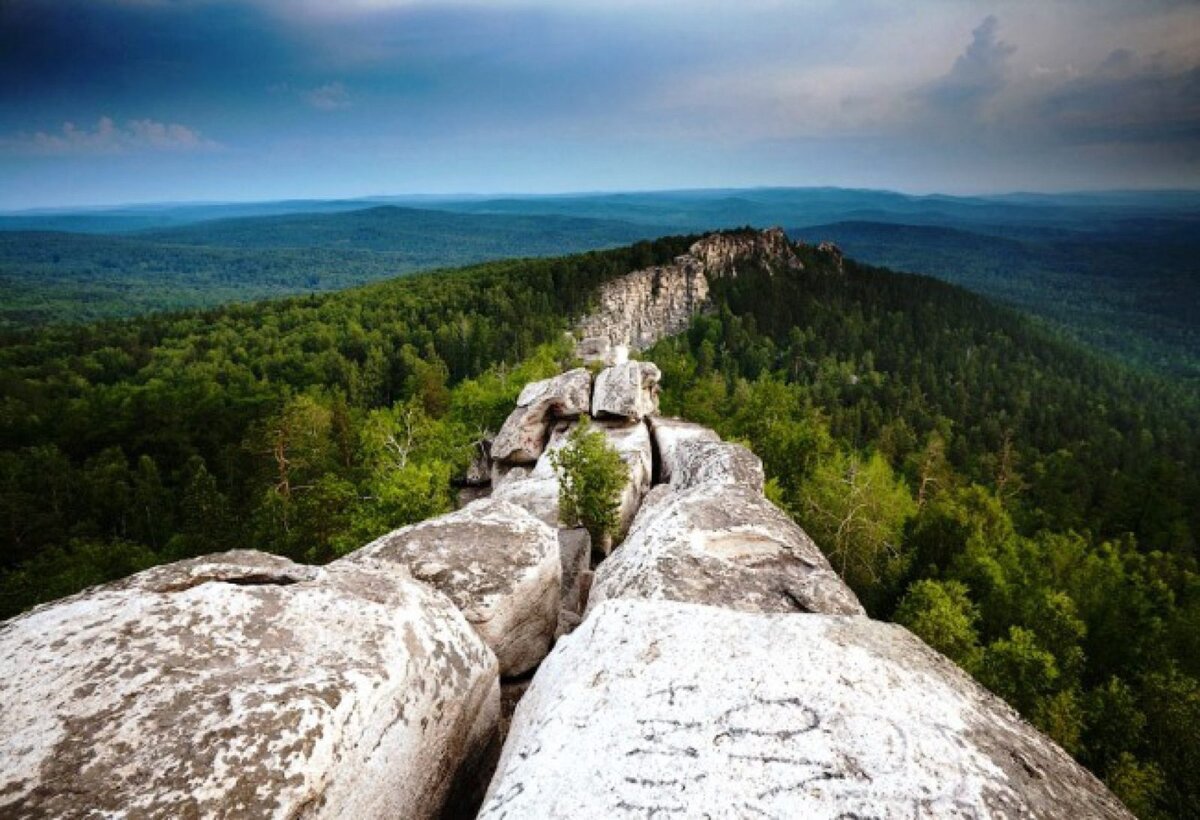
<point x="639" y="309"/>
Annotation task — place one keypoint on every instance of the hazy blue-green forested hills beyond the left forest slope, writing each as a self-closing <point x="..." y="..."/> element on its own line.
<point x="49" y="277"/>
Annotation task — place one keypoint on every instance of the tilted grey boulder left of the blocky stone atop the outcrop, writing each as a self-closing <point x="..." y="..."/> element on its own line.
<point x="524" y="435"/>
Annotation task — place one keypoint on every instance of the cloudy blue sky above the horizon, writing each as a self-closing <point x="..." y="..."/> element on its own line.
<point x="122" y="101"/>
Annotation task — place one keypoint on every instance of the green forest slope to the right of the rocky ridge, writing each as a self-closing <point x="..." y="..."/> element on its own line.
<point x="1028" y="508"/>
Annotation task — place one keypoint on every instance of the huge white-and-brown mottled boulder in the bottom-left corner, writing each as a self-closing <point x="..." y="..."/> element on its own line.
<point x="243" y="686"/>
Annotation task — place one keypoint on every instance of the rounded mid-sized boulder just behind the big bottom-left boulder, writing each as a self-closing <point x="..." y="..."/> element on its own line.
<point x="497" y="562"/>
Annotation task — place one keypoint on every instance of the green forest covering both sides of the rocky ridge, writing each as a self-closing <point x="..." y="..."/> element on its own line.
<point x="1027" y="507"/>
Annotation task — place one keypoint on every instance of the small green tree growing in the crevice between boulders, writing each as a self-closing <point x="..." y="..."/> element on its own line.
<point x="591" y="477"/>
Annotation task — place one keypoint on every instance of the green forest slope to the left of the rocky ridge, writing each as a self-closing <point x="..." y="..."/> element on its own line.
<point x="305" y="428"/>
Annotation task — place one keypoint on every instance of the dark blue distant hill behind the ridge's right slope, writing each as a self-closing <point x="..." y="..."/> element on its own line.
<point x="1132" y="290"/>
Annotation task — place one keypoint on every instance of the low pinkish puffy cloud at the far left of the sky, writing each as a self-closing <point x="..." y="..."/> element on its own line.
<point x="109" y="137"/>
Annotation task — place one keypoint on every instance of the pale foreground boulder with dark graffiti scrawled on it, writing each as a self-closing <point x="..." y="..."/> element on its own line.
<point x="659" y="709"/>
